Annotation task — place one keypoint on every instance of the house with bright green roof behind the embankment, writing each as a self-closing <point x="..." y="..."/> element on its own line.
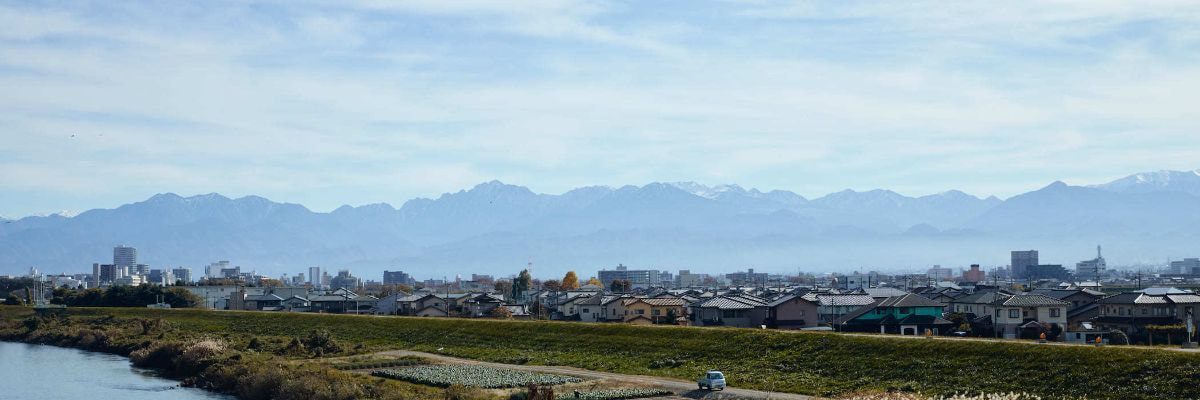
<point x="907" y="315"/>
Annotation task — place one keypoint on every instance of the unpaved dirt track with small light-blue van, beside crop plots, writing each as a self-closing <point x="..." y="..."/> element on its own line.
<point x="683" y="389"/>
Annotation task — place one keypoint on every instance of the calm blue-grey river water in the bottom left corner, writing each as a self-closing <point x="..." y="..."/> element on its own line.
<point x="46" y="373"/>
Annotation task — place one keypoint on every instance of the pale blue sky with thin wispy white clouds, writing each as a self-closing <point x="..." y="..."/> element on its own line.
<point x="355" y="103"/>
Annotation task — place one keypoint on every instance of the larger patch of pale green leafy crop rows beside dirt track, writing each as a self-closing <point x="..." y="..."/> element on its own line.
<point x="472" y="377"/>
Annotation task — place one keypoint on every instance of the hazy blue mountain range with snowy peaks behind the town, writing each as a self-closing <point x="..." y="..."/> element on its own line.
<point x="497" y="229"/>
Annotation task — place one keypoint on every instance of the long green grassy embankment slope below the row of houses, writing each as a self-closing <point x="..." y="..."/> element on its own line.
<point x="809" y="363"/>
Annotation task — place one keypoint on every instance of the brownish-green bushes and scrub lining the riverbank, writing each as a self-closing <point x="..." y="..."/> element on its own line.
<point x="277" y="369"/>
